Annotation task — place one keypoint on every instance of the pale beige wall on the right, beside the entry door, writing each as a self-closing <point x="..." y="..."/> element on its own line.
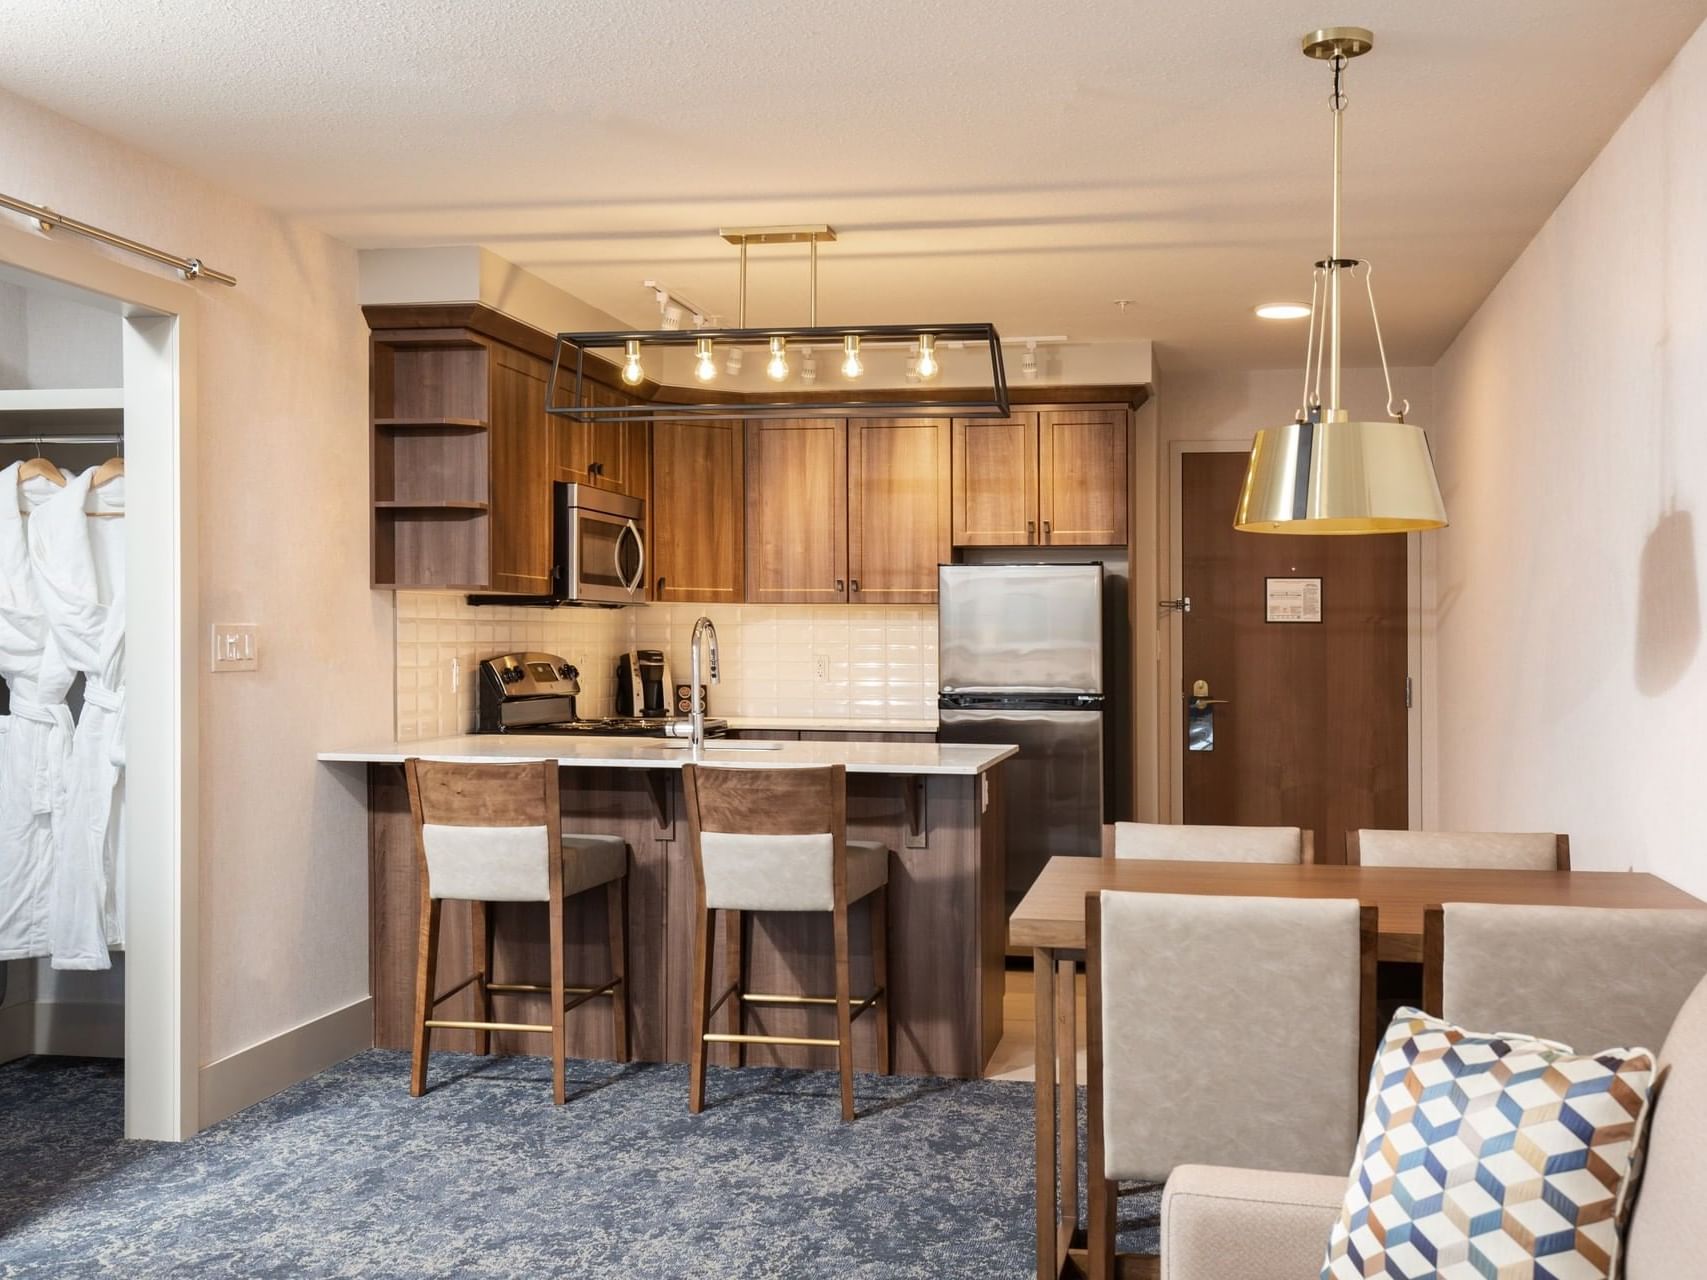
<point x="1575" y="465"/>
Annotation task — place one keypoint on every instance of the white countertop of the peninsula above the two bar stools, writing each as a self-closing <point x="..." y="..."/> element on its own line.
<point x="651" y="753"/>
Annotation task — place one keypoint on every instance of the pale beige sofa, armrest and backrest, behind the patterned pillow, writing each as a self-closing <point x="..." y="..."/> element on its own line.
<point x="1242" y="1225"/>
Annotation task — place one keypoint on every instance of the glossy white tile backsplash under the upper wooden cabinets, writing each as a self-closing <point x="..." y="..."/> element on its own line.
<point x="878" y="663"/>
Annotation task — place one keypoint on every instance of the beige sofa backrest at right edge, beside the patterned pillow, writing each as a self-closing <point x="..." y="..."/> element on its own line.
<point x="1669" y="1230"/>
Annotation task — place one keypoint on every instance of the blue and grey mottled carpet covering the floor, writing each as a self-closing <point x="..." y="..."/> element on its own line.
<point x="349" y="1177"/>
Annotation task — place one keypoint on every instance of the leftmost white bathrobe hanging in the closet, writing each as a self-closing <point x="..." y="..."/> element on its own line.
<point x="35" y="738"/>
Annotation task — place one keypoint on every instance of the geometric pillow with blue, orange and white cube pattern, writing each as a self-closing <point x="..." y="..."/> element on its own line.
<point x="1491" y="1156"/>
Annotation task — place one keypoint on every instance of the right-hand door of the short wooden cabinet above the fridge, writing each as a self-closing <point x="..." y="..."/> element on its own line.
<point x="1083" y="477"/>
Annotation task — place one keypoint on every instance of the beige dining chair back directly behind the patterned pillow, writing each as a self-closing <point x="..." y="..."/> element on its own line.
<point x="1588" y="977"/>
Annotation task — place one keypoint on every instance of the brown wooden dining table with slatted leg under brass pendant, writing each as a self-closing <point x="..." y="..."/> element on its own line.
<point x="1051" y="922"/>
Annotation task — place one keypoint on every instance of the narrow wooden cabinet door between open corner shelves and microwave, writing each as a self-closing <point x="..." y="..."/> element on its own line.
<point x="520" y="460"/>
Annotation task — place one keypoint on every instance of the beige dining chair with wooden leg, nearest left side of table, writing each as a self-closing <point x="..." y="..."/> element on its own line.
<point x="1223" y="1030"/>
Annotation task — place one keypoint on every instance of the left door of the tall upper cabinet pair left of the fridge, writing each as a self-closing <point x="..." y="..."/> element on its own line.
<point x="798" y="516"/>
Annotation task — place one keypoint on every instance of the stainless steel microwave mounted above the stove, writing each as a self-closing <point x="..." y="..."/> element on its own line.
<point x="598" y="550"/>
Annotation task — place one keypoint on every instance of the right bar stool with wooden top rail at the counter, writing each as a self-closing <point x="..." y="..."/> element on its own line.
<point x="776" y="841"/>
